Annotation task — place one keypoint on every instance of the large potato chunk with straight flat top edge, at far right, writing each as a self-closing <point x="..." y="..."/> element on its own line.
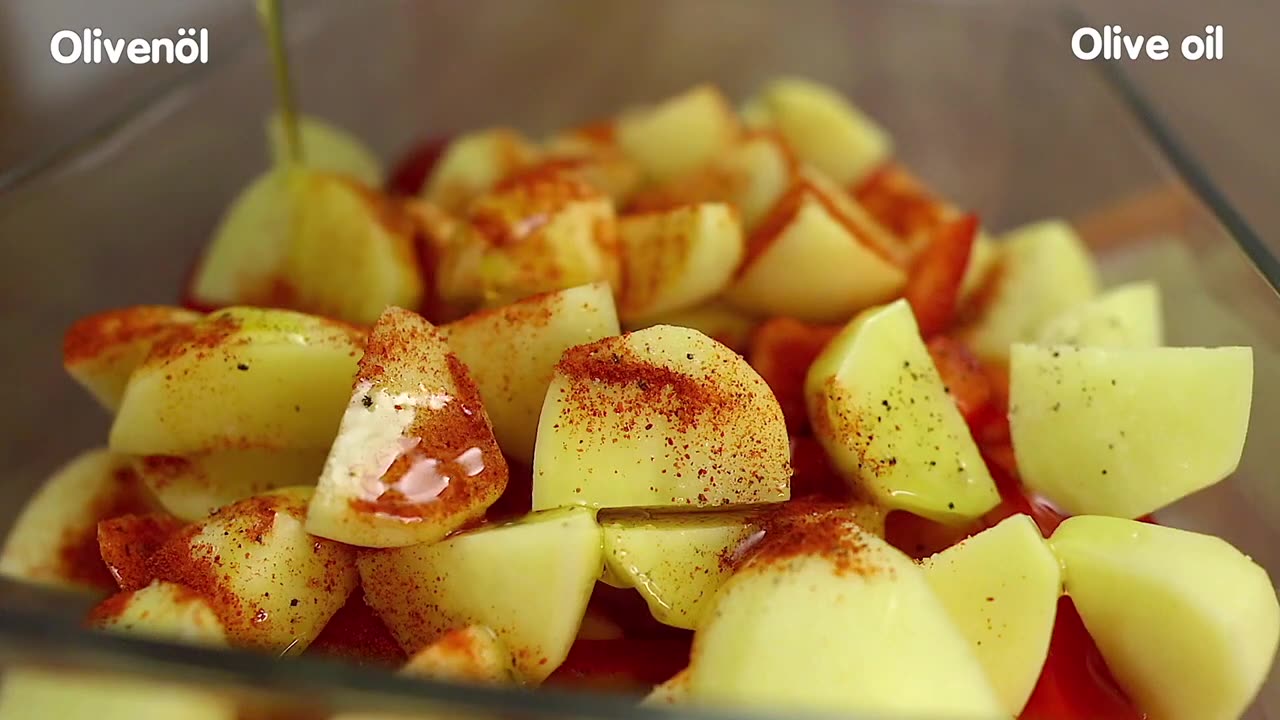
<point x="1127" y="432"/>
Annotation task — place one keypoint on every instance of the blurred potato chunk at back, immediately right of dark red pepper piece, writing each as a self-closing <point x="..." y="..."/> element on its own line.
<point x="474" y="163"/>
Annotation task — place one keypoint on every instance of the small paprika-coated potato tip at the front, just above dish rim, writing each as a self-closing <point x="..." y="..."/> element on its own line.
<point x="469" y="655"/>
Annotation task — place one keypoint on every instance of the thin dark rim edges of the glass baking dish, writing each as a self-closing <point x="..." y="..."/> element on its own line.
<point x="29" y="628"/>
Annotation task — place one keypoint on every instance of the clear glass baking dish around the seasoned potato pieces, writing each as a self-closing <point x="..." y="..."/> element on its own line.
<point x="985" y="101"/>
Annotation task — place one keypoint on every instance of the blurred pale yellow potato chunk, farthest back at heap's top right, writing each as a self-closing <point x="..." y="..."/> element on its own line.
<point x="825" y="129"/>
